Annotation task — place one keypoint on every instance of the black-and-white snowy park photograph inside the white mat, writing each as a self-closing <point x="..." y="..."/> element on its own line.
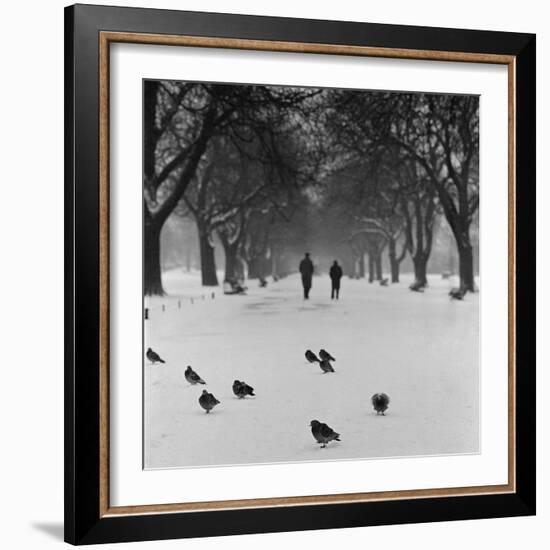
<point x="311" y="274"/>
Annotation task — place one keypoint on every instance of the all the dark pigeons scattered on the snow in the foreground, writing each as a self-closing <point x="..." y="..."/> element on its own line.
<point x="322" y="432"/>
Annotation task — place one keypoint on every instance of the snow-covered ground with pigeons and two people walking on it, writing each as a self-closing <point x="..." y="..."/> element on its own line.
<point x="420" y="349"/>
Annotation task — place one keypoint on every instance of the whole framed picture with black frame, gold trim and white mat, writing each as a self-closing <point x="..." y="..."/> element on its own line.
<point x="300" y="274"/>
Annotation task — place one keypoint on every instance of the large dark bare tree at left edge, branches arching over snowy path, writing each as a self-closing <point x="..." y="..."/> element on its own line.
<point x="180" y="119"/>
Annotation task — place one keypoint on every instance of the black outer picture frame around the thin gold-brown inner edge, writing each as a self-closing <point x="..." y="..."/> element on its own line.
<point x="84" y="523"/>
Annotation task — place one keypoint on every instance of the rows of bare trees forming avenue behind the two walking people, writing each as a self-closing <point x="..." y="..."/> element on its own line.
<point x="265" y="171"/>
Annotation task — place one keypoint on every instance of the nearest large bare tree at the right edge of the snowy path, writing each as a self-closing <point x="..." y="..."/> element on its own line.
<point x="441" y="133"/>
